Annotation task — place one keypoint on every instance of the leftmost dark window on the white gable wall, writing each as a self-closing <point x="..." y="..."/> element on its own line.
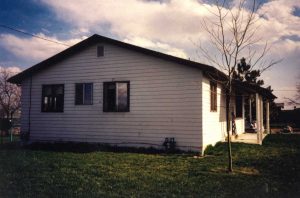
<point x="53" y="98"/>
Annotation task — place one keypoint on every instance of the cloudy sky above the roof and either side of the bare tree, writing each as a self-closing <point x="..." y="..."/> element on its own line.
<point x="169" y="26"/>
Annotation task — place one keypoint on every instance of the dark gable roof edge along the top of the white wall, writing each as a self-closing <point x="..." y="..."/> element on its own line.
<point x="17" y="79"/>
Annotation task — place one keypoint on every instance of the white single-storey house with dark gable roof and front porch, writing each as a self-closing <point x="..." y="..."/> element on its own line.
<point x="106" y="91"/>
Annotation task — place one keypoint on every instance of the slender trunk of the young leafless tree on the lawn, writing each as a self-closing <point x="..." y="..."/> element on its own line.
<point x="228" y="91"/>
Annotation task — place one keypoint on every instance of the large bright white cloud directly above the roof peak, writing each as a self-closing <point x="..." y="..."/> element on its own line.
<point x="173" y="21"/>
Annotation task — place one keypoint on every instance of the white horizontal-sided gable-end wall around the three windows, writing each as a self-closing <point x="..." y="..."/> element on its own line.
<point x="165" y="101"/>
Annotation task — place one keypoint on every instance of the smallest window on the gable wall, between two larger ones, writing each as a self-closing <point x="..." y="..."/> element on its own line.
<point x="83" y="93"/>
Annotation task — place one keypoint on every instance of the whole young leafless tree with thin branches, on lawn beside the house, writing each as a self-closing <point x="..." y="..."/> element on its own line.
<point x="233" y="34"/>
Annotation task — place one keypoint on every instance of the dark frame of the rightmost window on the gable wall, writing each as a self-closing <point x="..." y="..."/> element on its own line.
<point x="105" y="109"/>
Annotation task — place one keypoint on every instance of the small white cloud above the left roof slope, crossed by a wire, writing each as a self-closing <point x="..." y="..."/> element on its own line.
<point x="33" y="48"/>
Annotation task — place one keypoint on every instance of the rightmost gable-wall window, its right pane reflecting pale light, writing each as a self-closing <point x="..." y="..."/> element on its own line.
<point x="116" y="96"/>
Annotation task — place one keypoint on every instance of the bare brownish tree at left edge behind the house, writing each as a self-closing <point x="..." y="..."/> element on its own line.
<point x="10" y="94"/>
